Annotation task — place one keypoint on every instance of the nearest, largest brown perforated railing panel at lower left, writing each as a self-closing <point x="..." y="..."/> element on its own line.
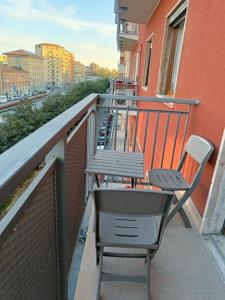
<point x="28" y="255"/>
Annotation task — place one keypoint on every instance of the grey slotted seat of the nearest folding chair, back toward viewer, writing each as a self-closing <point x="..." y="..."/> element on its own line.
<point x="127" y="230"/>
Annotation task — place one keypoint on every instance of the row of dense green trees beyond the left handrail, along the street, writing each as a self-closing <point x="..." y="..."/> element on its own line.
<point x="26" y="119"/>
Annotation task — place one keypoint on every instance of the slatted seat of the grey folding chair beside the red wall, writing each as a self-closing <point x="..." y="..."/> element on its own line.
<point x="167" y="179"/>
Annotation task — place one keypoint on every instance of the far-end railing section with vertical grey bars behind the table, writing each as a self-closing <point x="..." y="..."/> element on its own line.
<point x="155" y="126"/>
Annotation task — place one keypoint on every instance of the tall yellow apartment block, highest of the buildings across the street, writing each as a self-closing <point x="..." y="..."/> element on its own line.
<point x="58" y="64"/>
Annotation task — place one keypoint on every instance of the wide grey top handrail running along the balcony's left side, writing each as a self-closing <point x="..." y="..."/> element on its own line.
<point x="18" y="161"/>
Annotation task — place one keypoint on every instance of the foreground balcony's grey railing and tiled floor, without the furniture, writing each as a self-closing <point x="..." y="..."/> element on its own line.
<point x="44" y="175"/>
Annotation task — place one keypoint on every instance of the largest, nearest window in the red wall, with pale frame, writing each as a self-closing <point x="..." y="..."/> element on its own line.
<point x="172" y="50"/>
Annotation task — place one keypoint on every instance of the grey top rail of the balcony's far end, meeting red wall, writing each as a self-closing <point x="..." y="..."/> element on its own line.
<point x="150" y="99"/>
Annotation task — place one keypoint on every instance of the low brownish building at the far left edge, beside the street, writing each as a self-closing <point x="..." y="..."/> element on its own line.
<point x="13" y="81"/>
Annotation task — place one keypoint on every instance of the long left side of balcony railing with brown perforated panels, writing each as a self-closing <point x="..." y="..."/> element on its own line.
<point x="44" y="174"/>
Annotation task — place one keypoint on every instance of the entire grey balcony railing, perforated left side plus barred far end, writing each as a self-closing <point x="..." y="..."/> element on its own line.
<point x="38" y="234"/>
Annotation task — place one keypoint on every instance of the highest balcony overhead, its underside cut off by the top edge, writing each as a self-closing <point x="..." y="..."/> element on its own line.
<point x="133" y="11"/>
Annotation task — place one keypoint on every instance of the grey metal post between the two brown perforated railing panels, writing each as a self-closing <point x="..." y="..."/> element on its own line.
<point x="58" y="153"/>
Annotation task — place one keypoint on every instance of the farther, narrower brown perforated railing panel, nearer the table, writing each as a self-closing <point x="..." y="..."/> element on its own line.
<point x="75" y="184"/>
